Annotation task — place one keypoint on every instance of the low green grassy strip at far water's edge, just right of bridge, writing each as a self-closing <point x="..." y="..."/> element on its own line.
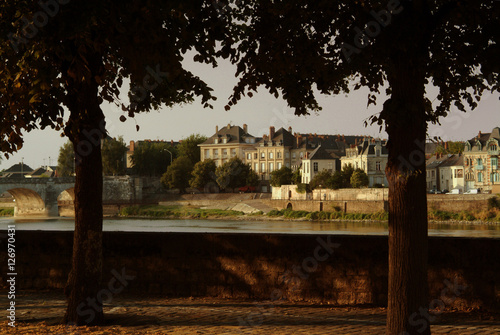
<point x="177" y="212"/>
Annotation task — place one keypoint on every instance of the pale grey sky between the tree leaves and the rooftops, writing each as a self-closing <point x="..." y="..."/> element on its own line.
<point x="340" y="115"/>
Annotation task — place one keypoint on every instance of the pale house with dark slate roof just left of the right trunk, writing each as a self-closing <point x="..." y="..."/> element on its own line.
<point x="370" y="156"/>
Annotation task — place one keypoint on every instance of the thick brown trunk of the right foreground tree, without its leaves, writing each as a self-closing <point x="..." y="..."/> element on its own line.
<point x="405" y="119"/>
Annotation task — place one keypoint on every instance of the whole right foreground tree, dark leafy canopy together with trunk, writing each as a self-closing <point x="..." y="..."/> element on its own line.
<point x="409" y="48"/>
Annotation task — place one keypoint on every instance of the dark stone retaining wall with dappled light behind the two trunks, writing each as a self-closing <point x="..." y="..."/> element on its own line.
<point x="336" y="269"/>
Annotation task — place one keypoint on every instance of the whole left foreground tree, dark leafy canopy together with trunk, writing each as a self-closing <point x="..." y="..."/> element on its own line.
<point x="62" y="59"/>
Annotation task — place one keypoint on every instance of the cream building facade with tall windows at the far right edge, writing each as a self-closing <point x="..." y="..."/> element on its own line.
<point x="481" y="161"/>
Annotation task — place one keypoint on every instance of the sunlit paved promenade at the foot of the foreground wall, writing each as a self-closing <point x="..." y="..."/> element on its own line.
<point x="39" y="313"/>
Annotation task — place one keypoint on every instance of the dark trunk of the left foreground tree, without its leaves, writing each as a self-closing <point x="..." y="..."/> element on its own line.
<point x="86" y="130"/>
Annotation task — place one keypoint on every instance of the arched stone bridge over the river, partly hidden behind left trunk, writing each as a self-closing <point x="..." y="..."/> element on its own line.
<point x="44" y="196"/>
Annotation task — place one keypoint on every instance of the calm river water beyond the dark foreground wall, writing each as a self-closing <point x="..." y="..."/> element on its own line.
<point x="269" y="227"/>
